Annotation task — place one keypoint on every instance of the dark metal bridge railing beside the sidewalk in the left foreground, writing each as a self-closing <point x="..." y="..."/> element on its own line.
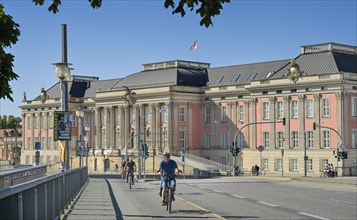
<point x="42" y="198"/>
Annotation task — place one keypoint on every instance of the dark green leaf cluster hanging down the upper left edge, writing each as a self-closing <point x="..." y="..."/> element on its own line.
<point x="9" y="33"/>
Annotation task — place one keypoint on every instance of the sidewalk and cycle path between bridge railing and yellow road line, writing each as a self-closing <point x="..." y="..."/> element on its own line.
<point x="110" y="198"/>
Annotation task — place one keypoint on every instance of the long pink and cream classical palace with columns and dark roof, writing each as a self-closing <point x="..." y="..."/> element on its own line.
<point x="287" y="116"/>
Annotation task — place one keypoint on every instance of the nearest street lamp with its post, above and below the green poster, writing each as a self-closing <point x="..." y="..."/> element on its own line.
<point x="63" y="73"/>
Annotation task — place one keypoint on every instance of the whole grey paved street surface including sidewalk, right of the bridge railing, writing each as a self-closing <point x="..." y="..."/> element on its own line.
<point x="218" y="198"/>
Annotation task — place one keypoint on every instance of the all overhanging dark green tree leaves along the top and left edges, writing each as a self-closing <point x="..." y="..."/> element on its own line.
<point x="9" y="30"/>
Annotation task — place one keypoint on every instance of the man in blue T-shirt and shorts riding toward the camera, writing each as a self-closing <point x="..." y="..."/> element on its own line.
<point x="168" y="168"/>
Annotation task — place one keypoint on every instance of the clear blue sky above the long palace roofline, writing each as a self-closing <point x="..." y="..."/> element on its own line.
<point x="115" y="40"/>
